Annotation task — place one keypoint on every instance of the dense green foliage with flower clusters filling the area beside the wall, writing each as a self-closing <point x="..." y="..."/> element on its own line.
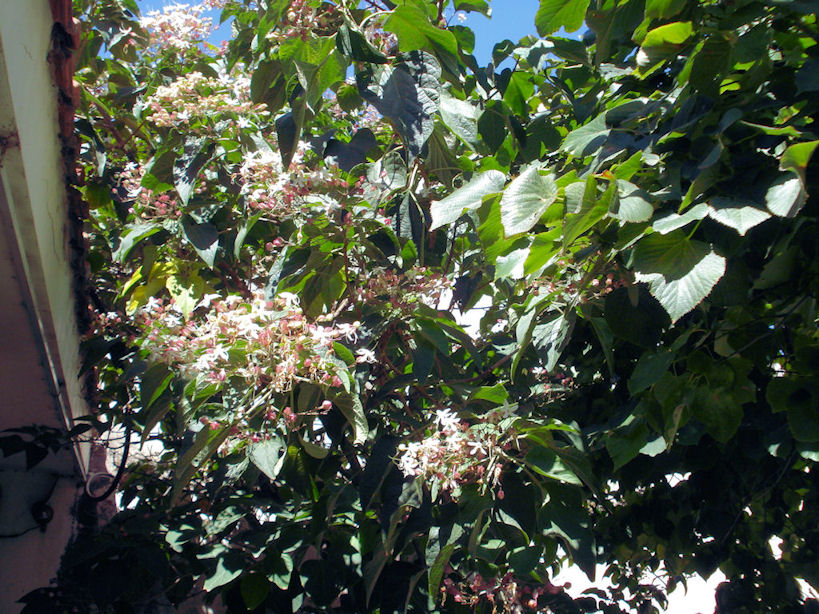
<point x="285" y="231"/>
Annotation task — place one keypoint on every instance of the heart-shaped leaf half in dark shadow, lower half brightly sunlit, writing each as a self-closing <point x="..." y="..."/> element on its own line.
<point x="679" y="272"/>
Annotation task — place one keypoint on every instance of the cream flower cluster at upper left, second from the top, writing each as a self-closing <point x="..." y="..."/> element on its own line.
<point x="194" y="97"/>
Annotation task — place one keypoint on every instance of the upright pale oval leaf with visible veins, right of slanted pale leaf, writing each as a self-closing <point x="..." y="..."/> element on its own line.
<point x="525" y="199"/>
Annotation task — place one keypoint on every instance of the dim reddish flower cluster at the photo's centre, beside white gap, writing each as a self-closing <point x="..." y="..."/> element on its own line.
<point x="405" y="291"/>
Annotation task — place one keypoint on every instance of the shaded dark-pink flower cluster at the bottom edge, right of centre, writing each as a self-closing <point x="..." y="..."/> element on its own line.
<point x="506" y="593"/>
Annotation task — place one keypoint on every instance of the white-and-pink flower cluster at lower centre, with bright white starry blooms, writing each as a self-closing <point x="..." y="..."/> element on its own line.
<point x="458" y="454"/>
